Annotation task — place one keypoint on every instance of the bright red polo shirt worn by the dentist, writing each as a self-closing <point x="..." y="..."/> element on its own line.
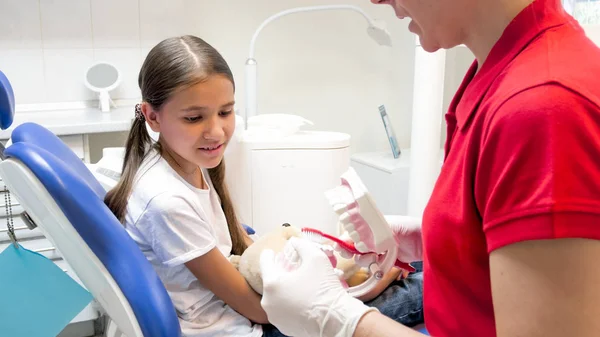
<point x="522" y="163"/>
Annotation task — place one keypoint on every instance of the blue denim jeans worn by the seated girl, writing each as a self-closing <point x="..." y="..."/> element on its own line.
<point x="401" y="301"/>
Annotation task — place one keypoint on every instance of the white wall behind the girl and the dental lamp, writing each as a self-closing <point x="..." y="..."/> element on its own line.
<point x="322" y="66"/>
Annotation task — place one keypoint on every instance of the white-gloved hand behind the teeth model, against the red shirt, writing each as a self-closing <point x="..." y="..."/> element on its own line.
<point x="408" y="235"/>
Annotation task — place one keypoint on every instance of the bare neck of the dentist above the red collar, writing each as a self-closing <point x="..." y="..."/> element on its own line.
<point x="491" y="17"/>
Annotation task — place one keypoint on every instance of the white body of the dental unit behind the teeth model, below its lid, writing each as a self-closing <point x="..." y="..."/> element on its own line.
<point x="289" y="186"/>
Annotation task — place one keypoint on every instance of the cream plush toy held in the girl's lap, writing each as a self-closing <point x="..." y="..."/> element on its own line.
<point x="249" y="266"/>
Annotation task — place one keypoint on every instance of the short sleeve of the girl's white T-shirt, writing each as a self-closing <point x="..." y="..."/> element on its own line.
<point x="175" y="230"/>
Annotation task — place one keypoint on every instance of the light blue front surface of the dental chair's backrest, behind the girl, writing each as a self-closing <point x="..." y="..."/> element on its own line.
<point x="38" y="135"/>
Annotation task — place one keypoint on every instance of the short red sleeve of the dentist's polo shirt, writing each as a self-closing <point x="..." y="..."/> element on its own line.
<point x="538" y="174"/>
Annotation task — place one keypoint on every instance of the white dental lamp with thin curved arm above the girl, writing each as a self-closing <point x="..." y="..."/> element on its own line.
<point x="375" y="30"/>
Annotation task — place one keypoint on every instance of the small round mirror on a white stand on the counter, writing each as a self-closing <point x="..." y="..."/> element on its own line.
<point x="102" y="77"/>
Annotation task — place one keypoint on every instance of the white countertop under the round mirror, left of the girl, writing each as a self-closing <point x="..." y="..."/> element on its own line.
<point x="75" y="121"/>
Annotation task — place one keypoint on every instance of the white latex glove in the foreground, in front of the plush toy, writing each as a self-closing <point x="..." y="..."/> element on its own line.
<point x="303" y="296"/>
